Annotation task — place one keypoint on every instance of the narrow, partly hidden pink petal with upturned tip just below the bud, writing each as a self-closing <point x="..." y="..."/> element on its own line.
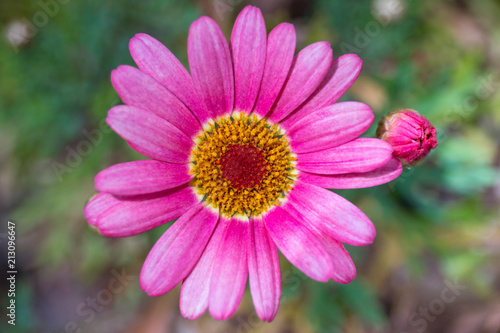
<point x="391" y="170"/>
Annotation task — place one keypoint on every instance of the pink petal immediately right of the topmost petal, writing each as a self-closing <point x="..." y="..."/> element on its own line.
<point x="280" y="50"/>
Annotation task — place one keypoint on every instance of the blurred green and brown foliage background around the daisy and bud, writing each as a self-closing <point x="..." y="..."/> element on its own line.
<point x="434" y="266"/>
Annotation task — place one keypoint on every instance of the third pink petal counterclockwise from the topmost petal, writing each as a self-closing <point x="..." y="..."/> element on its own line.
<point x="142" y="91"/>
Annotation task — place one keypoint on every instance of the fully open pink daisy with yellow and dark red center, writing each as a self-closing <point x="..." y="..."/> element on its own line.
<point x="240" y="152"/>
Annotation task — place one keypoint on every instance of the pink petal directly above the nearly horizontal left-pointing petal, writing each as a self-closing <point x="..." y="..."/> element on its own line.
<point x="150" y="135"/>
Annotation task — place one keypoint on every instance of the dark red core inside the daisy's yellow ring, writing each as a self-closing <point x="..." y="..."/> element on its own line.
<point x="243" y="165"/>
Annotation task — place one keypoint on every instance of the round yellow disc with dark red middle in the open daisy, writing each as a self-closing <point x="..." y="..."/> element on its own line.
<point x="242" y="165"/>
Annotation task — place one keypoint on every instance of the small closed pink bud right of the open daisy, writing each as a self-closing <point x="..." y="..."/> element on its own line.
<point x="410" y="134"/>
